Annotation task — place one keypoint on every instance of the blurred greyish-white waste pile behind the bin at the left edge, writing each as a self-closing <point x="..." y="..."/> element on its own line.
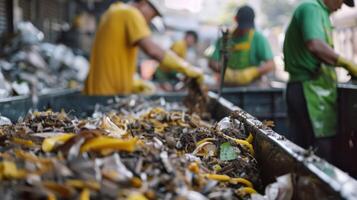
<point x="31" y="66"/>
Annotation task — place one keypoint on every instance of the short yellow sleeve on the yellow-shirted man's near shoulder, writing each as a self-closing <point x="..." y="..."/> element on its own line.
<point x="136" y="26"/>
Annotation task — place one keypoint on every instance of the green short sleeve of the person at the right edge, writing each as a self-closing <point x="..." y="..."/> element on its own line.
<point x="310" y="22"/>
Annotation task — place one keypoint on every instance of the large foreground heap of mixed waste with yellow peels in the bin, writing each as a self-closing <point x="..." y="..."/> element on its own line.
<point x="131" y="149"/>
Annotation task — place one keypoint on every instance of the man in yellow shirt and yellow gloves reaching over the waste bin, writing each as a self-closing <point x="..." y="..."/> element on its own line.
<point x="122" y="29"/>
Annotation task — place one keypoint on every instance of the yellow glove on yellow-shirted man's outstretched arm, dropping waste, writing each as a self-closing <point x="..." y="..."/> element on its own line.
<point x="172" y="62"/>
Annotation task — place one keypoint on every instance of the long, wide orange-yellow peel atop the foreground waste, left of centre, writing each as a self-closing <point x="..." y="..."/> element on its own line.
<point x="103" y="143"/>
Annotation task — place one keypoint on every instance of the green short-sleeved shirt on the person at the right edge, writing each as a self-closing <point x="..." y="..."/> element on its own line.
<point x="310" y="21"/>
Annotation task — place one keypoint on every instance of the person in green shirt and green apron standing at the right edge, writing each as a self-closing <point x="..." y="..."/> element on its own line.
<point x="310" y="60"/>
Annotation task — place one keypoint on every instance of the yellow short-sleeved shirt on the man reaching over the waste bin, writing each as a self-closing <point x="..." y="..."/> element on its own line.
<point x="114" y="52"/>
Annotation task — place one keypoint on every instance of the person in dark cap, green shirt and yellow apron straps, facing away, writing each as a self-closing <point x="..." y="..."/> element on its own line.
<point x="249" y="53"/>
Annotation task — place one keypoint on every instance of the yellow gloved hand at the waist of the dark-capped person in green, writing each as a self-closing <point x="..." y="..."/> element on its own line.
<point x="242" y="76"/>
